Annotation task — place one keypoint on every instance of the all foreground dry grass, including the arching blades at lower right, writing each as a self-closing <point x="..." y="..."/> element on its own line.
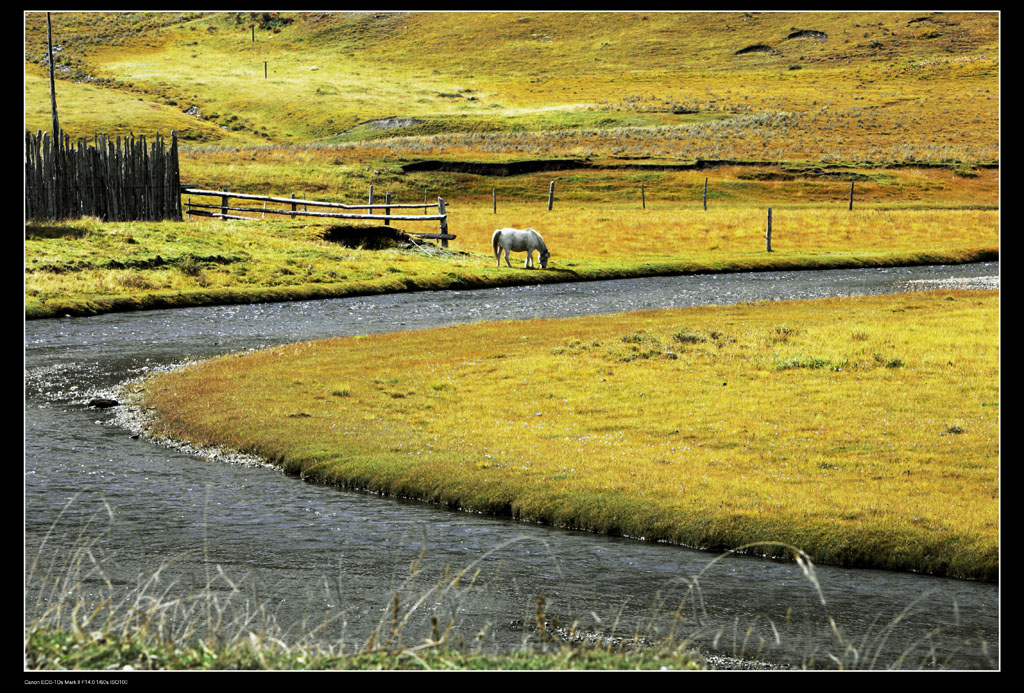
<point x="226" y="625"/>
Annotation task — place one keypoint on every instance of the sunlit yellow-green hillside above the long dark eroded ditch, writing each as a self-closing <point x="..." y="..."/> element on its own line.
<point x="871" y="88"/>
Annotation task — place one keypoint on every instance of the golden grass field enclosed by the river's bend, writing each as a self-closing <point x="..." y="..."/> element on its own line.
<point x="864" y="431"/>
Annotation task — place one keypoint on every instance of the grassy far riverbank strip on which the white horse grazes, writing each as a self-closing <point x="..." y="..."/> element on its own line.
<point x="88" y="268"/>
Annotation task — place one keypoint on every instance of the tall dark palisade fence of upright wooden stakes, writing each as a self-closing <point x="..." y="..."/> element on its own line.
<point x="120" y="180"/>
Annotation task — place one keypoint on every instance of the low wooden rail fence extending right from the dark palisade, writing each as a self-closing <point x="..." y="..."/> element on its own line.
<point x="223" y="210"/>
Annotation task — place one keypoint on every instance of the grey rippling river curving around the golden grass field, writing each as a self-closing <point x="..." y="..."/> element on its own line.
<point x="279" y="554"/>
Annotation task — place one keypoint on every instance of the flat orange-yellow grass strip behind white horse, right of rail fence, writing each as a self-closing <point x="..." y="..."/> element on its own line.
<point x="607" y="232"/>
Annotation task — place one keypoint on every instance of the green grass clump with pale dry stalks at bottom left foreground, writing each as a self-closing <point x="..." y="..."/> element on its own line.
<point x="80" y="620"/>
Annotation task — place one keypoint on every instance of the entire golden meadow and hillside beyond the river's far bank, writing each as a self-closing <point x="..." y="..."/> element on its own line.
<point x="905" y="105"/>
